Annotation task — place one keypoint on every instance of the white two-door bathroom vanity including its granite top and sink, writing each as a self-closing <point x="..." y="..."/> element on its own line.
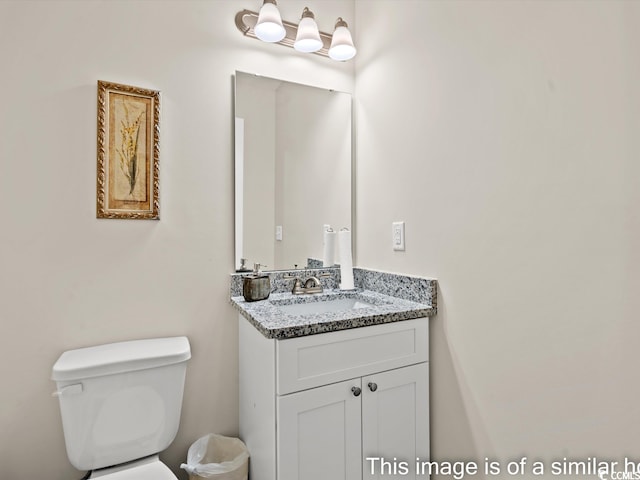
<point x="329" y="389"/>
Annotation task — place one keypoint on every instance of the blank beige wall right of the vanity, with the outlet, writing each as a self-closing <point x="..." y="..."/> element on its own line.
<point x="506" y="136"/>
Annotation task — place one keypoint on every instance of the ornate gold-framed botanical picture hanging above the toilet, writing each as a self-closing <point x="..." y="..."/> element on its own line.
<point x="128" y="152"/>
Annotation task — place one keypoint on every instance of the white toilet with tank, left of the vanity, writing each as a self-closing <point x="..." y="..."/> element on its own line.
<point x="120" y="406"/>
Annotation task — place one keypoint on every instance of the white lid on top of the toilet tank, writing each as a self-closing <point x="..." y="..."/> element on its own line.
<point x="120" y="357"/>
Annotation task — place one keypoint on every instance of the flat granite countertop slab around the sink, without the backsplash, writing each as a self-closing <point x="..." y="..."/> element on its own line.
<point x="374" y="308"/>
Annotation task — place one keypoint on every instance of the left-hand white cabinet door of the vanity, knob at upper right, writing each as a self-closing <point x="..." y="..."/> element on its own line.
<point x="319" y="433"/>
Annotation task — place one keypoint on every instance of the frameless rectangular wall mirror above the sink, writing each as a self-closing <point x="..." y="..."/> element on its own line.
<point x="293" y="170"/>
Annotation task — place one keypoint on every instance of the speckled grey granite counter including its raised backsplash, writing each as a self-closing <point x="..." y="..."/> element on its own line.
<point x="384" y="298"/>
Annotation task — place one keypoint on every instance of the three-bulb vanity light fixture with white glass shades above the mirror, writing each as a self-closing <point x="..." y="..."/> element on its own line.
<point x="268" y="26"/>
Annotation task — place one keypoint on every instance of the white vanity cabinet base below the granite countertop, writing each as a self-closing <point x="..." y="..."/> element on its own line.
<point x="317" y="406"/>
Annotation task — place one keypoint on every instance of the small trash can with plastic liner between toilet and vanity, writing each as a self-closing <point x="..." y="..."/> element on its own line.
<point x="213" y="455"/>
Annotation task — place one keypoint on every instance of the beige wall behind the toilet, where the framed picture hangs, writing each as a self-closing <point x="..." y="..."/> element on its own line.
<point x="70" y="280"/>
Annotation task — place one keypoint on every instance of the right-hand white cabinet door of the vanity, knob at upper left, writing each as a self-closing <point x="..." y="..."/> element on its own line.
<point x="395" y="422"/>
